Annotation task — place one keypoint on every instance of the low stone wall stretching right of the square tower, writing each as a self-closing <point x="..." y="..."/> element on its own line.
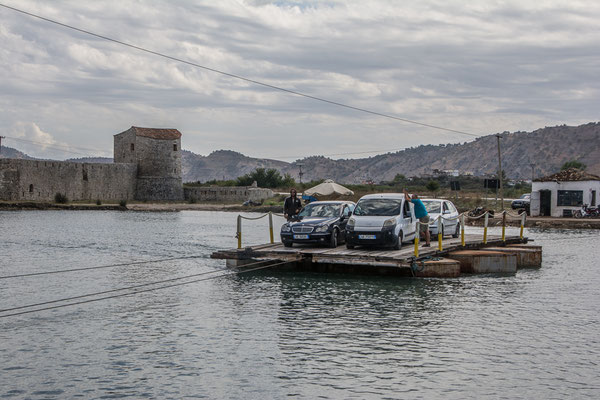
<point x="227" y="194"/>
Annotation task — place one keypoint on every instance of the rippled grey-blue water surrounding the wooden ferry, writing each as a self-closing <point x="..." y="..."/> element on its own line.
<point x="531" y="335"/>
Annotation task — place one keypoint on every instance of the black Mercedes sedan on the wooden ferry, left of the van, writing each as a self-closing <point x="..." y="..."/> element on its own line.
<point x="320" y="222"/>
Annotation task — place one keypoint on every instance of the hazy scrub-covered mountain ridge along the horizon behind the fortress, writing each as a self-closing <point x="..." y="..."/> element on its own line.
<point x="547" y="148"/>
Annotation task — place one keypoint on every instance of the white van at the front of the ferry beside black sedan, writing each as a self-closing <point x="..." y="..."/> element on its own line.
<point x="385" y="219"/>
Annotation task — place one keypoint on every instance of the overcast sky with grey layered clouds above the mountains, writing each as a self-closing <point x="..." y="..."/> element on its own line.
<point x="478" y="67"/>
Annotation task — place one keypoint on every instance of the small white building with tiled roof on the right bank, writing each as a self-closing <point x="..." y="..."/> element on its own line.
<point x="560" y="194"/>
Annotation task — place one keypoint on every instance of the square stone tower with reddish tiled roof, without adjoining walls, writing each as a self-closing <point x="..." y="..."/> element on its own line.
<point x="157" y="154"/>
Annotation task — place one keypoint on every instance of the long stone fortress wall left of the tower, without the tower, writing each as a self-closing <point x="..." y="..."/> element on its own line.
<point x="41" y="180"/>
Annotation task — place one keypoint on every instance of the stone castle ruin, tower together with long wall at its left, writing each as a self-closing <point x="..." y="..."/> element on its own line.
<point x="147" y="167"/>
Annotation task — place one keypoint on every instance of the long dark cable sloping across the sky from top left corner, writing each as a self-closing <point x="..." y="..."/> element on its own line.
<point x="156" y="53"/>
